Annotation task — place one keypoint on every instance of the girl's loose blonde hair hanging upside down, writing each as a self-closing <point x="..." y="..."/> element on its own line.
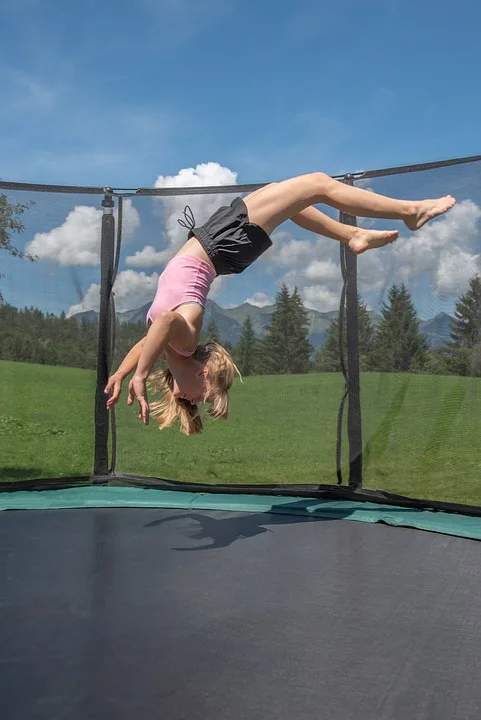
<point x="221" y="370"/>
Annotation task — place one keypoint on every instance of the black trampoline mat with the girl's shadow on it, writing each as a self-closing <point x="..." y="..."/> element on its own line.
<point x="174" y="614"/>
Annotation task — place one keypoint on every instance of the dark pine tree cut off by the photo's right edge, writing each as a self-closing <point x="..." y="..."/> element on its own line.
<point x="462" y="352"/>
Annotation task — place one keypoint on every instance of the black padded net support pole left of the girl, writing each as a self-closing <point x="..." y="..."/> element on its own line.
<point x="107" y="255"/>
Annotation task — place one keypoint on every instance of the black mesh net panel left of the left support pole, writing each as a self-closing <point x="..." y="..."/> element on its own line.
<point x="48" y="346"/>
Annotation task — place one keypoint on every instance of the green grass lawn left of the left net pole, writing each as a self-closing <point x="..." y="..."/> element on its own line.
<point x="46" y="421"/>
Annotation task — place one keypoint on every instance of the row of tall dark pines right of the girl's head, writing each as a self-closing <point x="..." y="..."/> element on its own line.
<point x="395" y="344"/>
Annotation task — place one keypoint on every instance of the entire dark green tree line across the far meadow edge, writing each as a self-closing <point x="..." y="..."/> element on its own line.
<point x="395" y="344"/>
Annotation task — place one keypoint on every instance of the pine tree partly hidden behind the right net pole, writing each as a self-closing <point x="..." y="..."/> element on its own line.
<point x="327" y="357"/>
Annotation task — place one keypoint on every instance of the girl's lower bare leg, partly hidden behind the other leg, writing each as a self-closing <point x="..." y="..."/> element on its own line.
<point x="358" y="239"/>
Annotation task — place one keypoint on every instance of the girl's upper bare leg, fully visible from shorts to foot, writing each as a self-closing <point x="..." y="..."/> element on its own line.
<point x="275" y="203"/>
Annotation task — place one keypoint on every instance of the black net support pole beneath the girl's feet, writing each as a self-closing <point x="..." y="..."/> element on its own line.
<point x="353" y="361"/>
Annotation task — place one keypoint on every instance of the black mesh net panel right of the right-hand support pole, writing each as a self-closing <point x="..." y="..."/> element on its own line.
<point x="420" y="336"/>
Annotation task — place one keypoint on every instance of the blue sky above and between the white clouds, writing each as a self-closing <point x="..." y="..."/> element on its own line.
<point x="120" y="93"/>
